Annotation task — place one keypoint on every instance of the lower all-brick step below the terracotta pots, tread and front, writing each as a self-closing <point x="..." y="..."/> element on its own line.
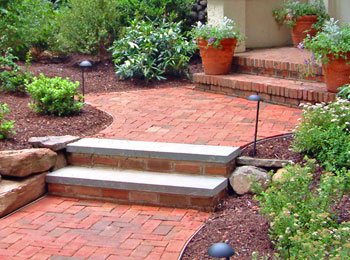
<point x="272" y="90"/>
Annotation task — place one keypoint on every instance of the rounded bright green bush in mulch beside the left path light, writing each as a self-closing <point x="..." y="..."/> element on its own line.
<point x="55" y="96"/>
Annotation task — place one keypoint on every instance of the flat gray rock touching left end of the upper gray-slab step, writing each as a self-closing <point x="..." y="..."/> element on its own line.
<point x="54" y="143"/>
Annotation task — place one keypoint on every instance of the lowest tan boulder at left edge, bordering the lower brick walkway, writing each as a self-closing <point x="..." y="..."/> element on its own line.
<point x="15" y="194"/>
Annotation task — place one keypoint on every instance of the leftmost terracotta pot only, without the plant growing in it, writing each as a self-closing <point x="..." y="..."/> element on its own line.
<point x="217" y="61"/>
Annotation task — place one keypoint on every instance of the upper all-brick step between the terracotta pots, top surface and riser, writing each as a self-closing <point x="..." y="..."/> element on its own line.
<point x="282" y="62"/>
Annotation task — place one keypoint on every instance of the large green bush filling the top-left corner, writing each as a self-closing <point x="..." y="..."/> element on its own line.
<point x="25" y="24"/>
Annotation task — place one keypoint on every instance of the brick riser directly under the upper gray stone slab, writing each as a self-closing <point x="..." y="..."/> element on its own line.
<point x="150" y="164"/>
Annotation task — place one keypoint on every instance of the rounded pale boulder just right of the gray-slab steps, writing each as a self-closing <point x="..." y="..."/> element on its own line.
<point x="242" y="178"/>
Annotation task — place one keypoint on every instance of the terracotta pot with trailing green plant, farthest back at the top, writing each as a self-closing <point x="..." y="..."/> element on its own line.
<point x="301" y="18"/>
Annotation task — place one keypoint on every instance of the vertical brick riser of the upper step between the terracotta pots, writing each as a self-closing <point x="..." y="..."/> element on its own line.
<point x="276" y="69"/>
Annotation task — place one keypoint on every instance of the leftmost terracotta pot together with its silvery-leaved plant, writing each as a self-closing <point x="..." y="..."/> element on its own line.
<point x="217" y="44"/>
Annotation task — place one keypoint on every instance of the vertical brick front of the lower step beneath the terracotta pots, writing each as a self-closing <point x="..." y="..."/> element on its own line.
<point x="269" y="92"/>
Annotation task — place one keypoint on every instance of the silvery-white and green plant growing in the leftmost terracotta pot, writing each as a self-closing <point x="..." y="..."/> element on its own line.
<point x="214" y="34"/>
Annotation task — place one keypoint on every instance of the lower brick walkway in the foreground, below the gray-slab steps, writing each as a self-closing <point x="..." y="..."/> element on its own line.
<point x="59" y="228"/>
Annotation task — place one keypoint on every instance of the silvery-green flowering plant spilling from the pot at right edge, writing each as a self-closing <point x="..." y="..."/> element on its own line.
<point x="333" y="39"/>
